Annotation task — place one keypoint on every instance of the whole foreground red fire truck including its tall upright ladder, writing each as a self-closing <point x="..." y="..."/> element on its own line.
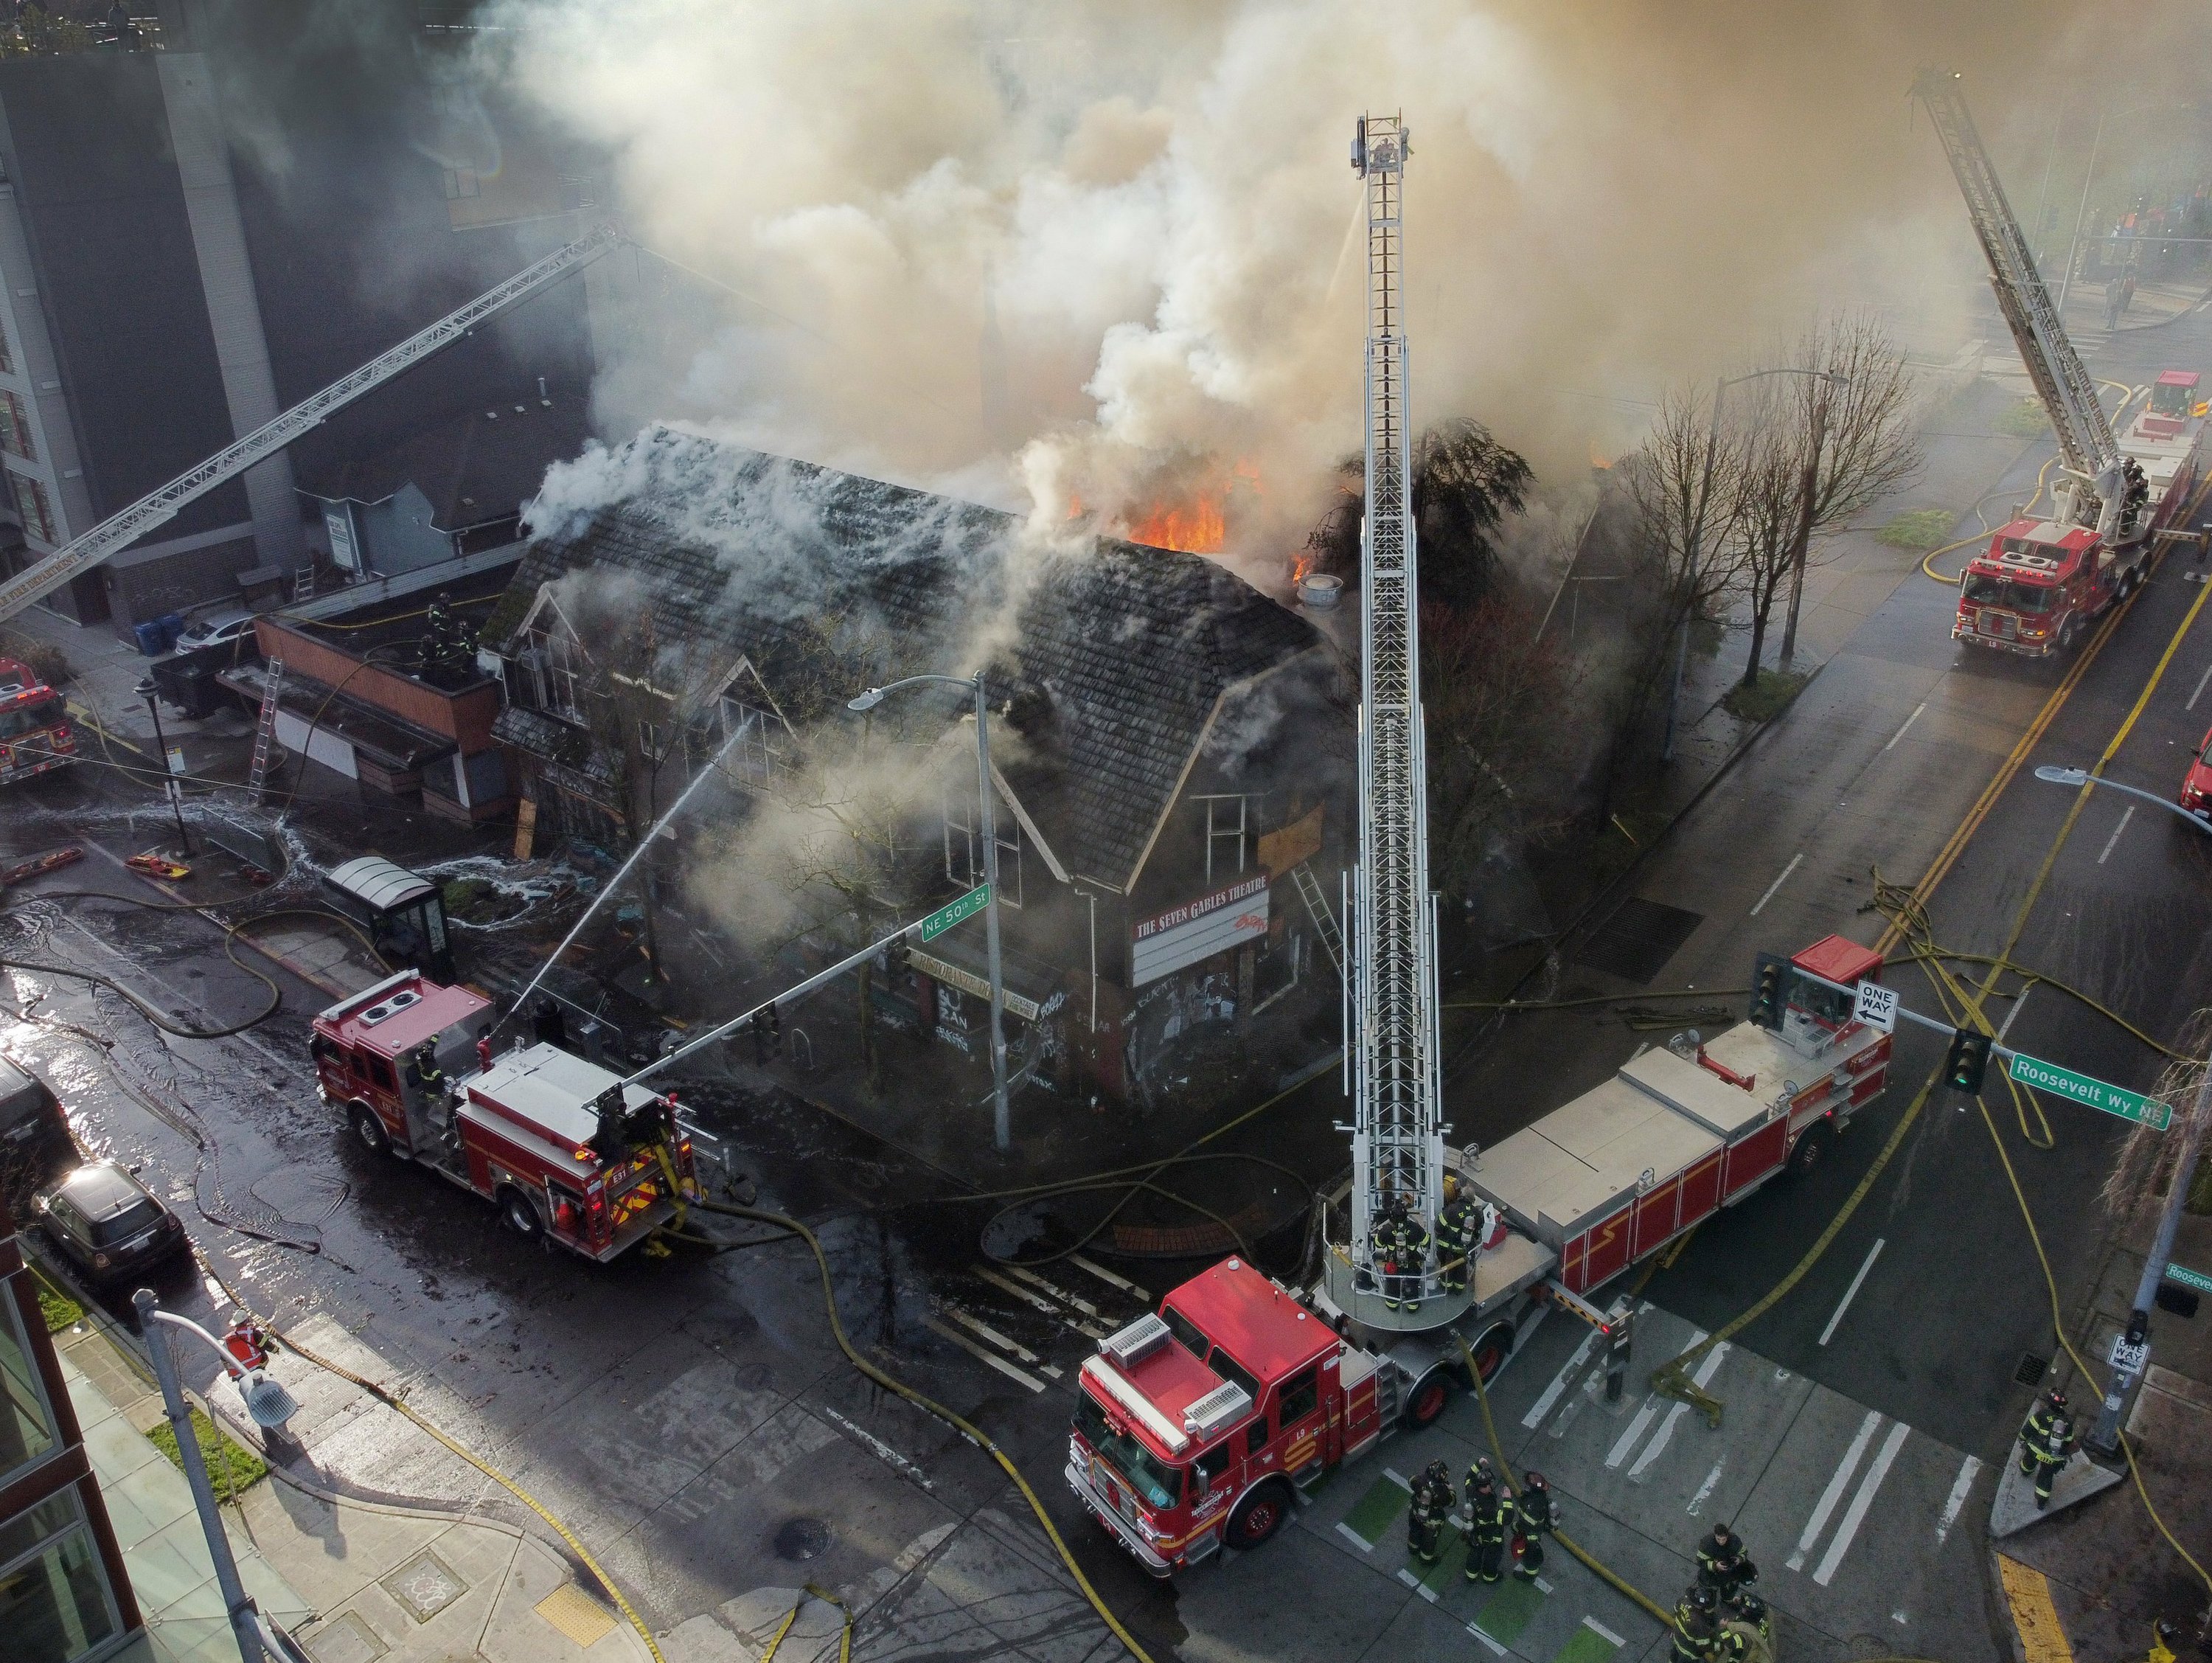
<point x="1196" y="1427"/>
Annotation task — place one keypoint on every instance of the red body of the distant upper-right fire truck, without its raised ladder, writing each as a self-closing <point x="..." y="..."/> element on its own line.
<point x="2038" y="585"/>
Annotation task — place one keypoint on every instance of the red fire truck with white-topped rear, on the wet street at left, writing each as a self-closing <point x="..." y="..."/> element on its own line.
<point x="570" y="1151"/>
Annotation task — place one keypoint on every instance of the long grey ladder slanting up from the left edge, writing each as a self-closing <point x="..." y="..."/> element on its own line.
<point x="163" y="505"/>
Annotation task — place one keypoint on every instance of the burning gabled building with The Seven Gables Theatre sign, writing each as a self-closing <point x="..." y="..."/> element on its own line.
<point x="1171" y="749"/>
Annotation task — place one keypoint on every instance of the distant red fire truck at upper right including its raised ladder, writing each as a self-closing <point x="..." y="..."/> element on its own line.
<point x="2041" y="583"/>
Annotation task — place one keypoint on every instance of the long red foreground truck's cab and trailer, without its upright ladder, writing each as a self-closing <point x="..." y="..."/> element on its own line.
<point x="1198" y="1425"/>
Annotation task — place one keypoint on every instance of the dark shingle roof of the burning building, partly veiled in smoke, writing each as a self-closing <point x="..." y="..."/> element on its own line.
<point x="1116" y="665"/>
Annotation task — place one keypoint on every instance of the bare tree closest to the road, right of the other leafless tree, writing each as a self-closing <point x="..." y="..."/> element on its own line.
<point x="1850" y="426"/>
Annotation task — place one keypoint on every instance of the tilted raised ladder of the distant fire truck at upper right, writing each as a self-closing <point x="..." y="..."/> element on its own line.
<point x="2096" y="490"/>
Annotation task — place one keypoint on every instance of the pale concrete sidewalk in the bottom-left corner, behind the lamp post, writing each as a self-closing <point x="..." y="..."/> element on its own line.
<point x="353" y="1582"/>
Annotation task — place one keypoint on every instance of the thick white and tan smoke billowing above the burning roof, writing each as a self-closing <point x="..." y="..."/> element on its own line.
<point x="1100" y="253"/>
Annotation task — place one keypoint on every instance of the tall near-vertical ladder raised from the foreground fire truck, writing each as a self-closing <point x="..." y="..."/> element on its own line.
<point x="1392" y="1045"/>
